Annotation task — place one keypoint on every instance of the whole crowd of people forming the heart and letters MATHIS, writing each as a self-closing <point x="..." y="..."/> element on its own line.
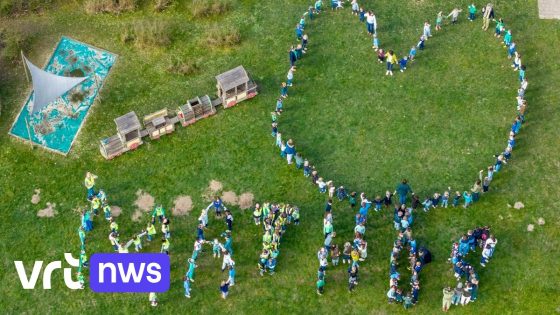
<point x="275" y="217"/>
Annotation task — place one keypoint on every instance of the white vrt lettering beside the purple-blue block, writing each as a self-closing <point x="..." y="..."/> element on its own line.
<point x="29" y="283"/>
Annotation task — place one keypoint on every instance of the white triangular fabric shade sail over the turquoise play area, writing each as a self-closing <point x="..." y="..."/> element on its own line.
<point x="47" y="86"/>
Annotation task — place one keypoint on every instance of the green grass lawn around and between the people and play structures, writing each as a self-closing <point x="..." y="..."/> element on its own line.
<point x="437" y="124"/>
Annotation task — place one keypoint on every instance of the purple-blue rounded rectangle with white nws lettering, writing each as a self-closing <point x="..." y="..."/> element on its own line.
<point x="147" y="272"/>
